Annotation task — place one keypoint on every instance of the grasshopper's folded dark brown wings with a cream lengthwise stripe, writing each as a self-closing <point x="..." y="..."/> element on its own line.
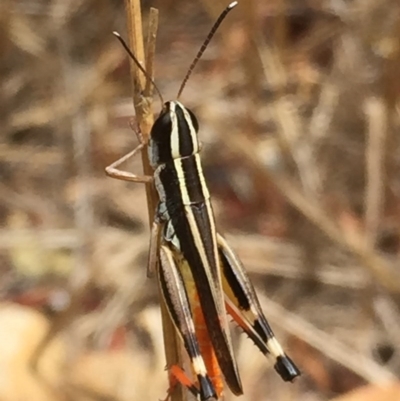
<point x="196" y="235"/>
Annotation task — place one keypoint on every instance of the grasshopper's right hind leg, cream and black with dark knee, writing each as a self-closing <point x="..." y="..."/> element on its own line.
<point x="243" y="305"/>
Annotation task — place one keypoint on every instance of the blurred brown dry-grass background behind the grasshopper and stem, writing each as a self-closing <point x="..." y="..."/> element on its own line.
<point x="299" y="118"/>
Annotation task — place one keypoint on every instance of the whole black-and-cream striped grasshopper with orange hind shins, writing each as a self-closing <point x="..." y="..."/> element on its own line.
<point x="201" y="278"/>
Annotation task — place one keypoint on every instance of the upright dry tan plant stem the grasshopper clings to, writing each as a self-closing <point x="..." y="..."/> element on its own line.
<point x="144" y="116"/>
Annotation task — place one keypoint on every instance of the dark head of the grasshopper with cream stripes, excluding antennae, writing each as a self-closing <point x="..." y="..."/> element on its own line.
<point x="173" y="135"/>
